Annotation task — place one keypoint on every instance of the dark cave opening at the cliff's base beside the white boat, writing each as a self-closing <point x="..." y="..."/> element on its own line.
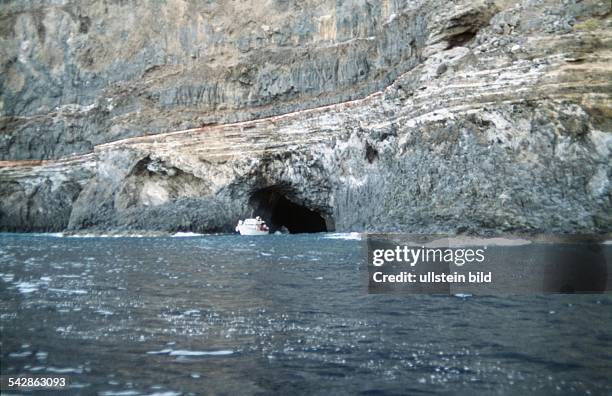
<point x="278" y="211"/>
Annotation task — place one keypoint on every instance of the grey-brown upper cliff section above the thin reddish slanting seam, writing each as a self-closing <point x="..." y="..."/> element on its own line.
<point x="77" y="74"/>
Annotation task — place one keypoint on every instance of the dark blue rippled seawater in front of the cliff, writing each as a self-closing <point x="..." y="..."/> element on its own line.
<point x="286" y="314"/>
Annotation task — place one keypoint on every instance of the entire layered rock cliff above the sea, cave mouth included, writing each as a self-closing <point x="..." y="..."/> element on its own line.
<point x="417" y="116"/>
